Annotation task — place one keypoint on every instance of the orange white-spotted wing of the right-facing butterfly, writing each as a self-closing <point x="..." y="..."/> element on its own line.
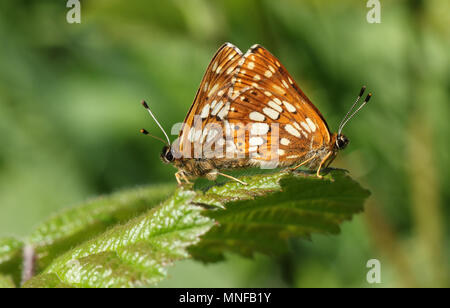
<point x="266" y="94"/>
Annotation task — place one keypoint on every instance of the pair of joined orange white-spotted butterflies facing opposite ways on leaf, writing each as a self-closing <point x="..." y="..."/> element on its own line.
<point x="249" y="112"/>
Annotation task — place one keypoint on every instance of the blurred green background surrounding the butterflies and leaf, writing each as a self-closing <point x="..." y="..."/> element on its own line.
<point x="70" y="115"/>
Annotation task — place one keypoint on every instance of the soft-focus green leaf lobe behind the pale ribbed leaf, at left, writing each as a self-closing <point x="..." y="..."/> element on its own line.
<point x="76" y="225"/>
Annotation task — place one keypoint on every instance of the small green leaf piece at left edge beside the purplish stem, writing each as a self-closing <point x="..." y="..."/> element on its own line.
<point x="11" y="259"/>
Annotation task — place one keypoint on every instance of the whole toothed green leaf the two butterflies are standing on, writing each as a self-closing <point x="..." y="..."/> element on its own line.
<point x="114" y="248"/>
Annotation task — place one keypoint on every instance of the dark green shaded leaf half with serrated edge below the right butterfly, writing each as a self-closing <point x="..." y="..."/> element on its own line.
<point x="262" y="216"/>
